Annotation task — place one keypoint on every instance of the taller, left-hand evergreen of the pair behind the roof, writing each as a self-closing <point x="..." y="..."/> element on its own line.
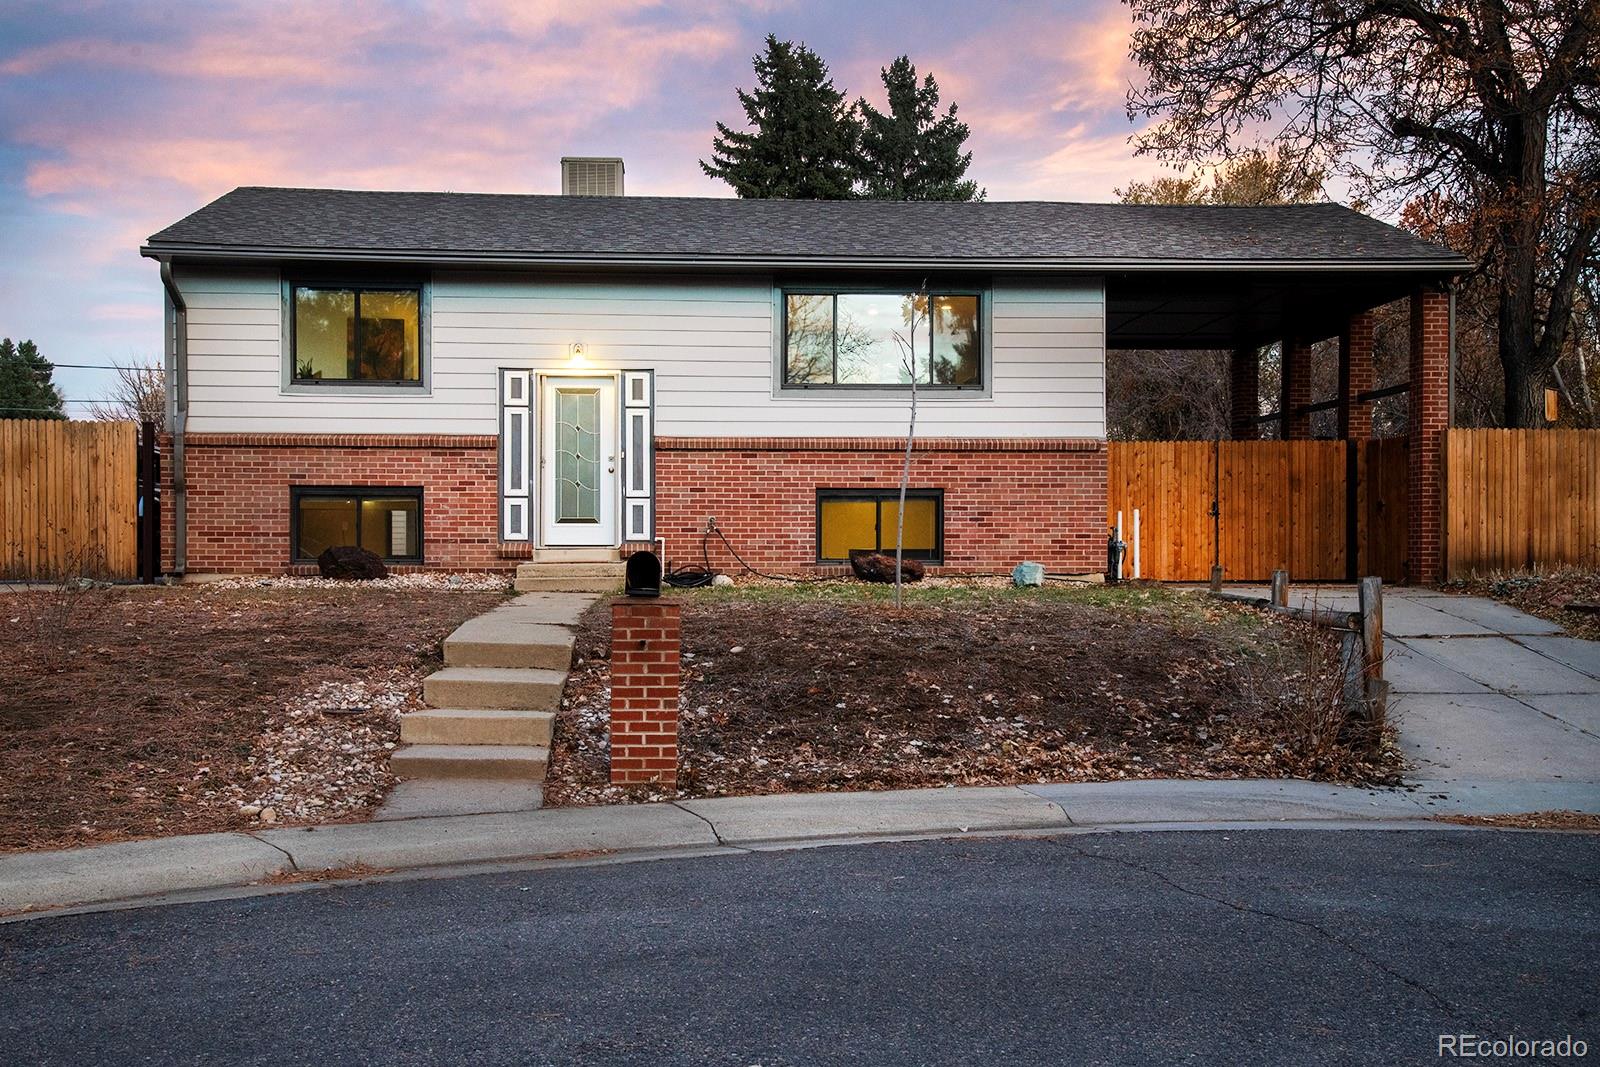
<point x="802" y="137"/>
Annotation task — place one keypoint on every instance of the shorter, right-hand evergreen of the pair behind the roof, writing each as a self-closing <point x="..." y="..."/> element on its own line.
<point x="913" y="153"/>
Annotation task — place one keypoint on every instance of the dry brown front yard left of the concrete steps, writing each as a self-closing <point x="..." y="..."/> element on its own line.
<point x="137" y="713"/>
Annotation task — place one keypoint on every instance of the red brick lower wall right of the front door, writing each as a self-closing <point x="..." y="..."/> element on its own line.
<point x="1004" y="500"/>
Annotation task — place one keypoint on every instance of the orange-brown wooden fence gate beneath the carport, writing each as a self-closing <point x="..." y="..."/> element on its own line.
<point x="1311" y="508"/>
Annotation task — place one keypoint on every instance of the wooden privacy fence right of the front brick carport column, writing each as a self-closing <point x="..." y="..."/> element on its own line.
<point x="1518" y="500"/>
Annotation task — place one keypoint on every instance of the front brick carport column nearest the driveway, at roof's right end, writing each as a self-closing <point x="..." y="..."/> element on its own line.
<point x="1428" y="422"/>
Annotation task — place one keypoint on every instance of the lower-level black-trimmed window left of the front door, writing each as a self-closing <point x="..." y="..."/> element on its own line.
<point x="380" y="519"/>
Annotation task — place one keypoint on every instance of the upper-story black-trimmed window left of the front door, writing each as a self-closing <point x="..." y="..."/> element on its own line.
<point x="343" y="334"/>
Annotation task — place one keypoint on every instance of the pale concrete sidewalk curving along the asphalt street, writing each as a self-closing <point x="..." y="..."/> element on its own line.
<point x="214" y="861"/>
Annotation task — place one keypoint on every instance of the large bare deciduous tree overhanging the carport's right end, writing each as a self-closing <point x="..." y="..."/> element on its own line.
<point x="1490" y="105"/>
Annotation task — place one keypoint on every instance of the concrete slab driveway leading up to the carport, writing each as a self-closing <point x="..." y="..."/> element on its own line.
<point x="1489" y="701"/>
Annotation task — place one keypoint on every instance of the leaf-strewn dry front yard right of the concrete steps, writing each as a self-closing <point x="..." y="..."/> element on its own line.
<point x="826" y="689"/>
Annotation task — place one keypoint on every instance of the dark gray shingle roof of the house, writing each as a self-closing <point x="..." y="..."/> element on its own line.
<point x="447" y="226"/>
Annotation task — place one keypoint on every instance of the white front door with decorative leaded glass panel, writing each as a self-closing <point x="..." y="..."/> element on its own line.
<point x="578" y="462"/>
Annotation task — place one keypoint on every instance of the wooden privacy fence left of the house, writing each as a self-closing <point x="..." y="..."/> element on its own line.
<point x="70" y="500"/>
